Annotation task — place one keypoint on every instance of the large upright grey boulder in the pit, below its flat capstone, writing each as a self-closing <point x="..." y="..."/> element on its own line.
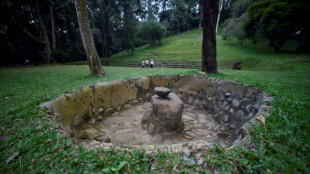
<point x="167" y="112"/>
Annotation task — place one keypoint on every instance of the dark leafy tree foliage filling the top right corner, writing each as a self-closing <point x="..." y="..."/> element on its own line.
<point x="280" y="20"/>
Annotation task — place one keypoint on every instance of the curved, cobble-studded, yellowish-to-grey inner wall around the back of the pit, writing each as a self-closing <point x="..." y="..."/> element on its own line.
<point x="233" y="104"/>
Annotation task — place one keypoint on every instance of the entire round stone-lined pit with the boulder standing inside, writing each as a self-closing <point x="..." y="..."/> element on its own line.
<point x="170" y="113"/>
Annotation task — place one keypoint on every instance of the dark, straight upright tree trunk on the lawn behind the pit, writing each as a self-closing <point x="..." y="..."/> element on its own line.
<point x="209" y="64"/>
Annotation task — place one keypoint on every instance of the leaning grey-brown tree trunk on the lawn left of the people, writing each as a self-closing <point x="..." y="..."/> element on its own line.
<point x="88" y="40"/>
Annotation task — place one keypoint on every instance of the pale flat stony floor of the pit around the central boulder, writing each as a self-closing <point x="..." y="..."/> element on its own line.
<point x="125" y="128"/>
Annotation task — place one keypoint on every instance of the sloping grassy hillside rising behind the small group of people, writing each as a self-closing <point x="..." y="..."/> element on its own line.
<point x="187" y="46"/>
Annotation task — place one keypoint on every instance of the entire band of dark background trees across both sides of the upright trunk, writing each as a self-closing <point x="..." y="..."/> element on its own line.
<point x="48" y="31"/>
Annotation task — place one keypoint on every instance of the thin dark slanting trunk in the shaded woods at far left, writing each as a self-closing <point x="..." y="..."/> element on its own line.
<point x="48" y="51"/>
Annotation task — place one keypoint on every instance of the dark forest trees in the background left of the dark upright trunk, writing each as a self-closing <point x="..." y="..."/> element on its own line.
<point x="48" y="31"/>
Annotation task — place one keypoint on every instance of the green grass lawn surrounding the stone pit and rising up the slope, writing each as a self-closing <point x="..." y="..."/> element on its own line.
<point x="283" y="146"/>
